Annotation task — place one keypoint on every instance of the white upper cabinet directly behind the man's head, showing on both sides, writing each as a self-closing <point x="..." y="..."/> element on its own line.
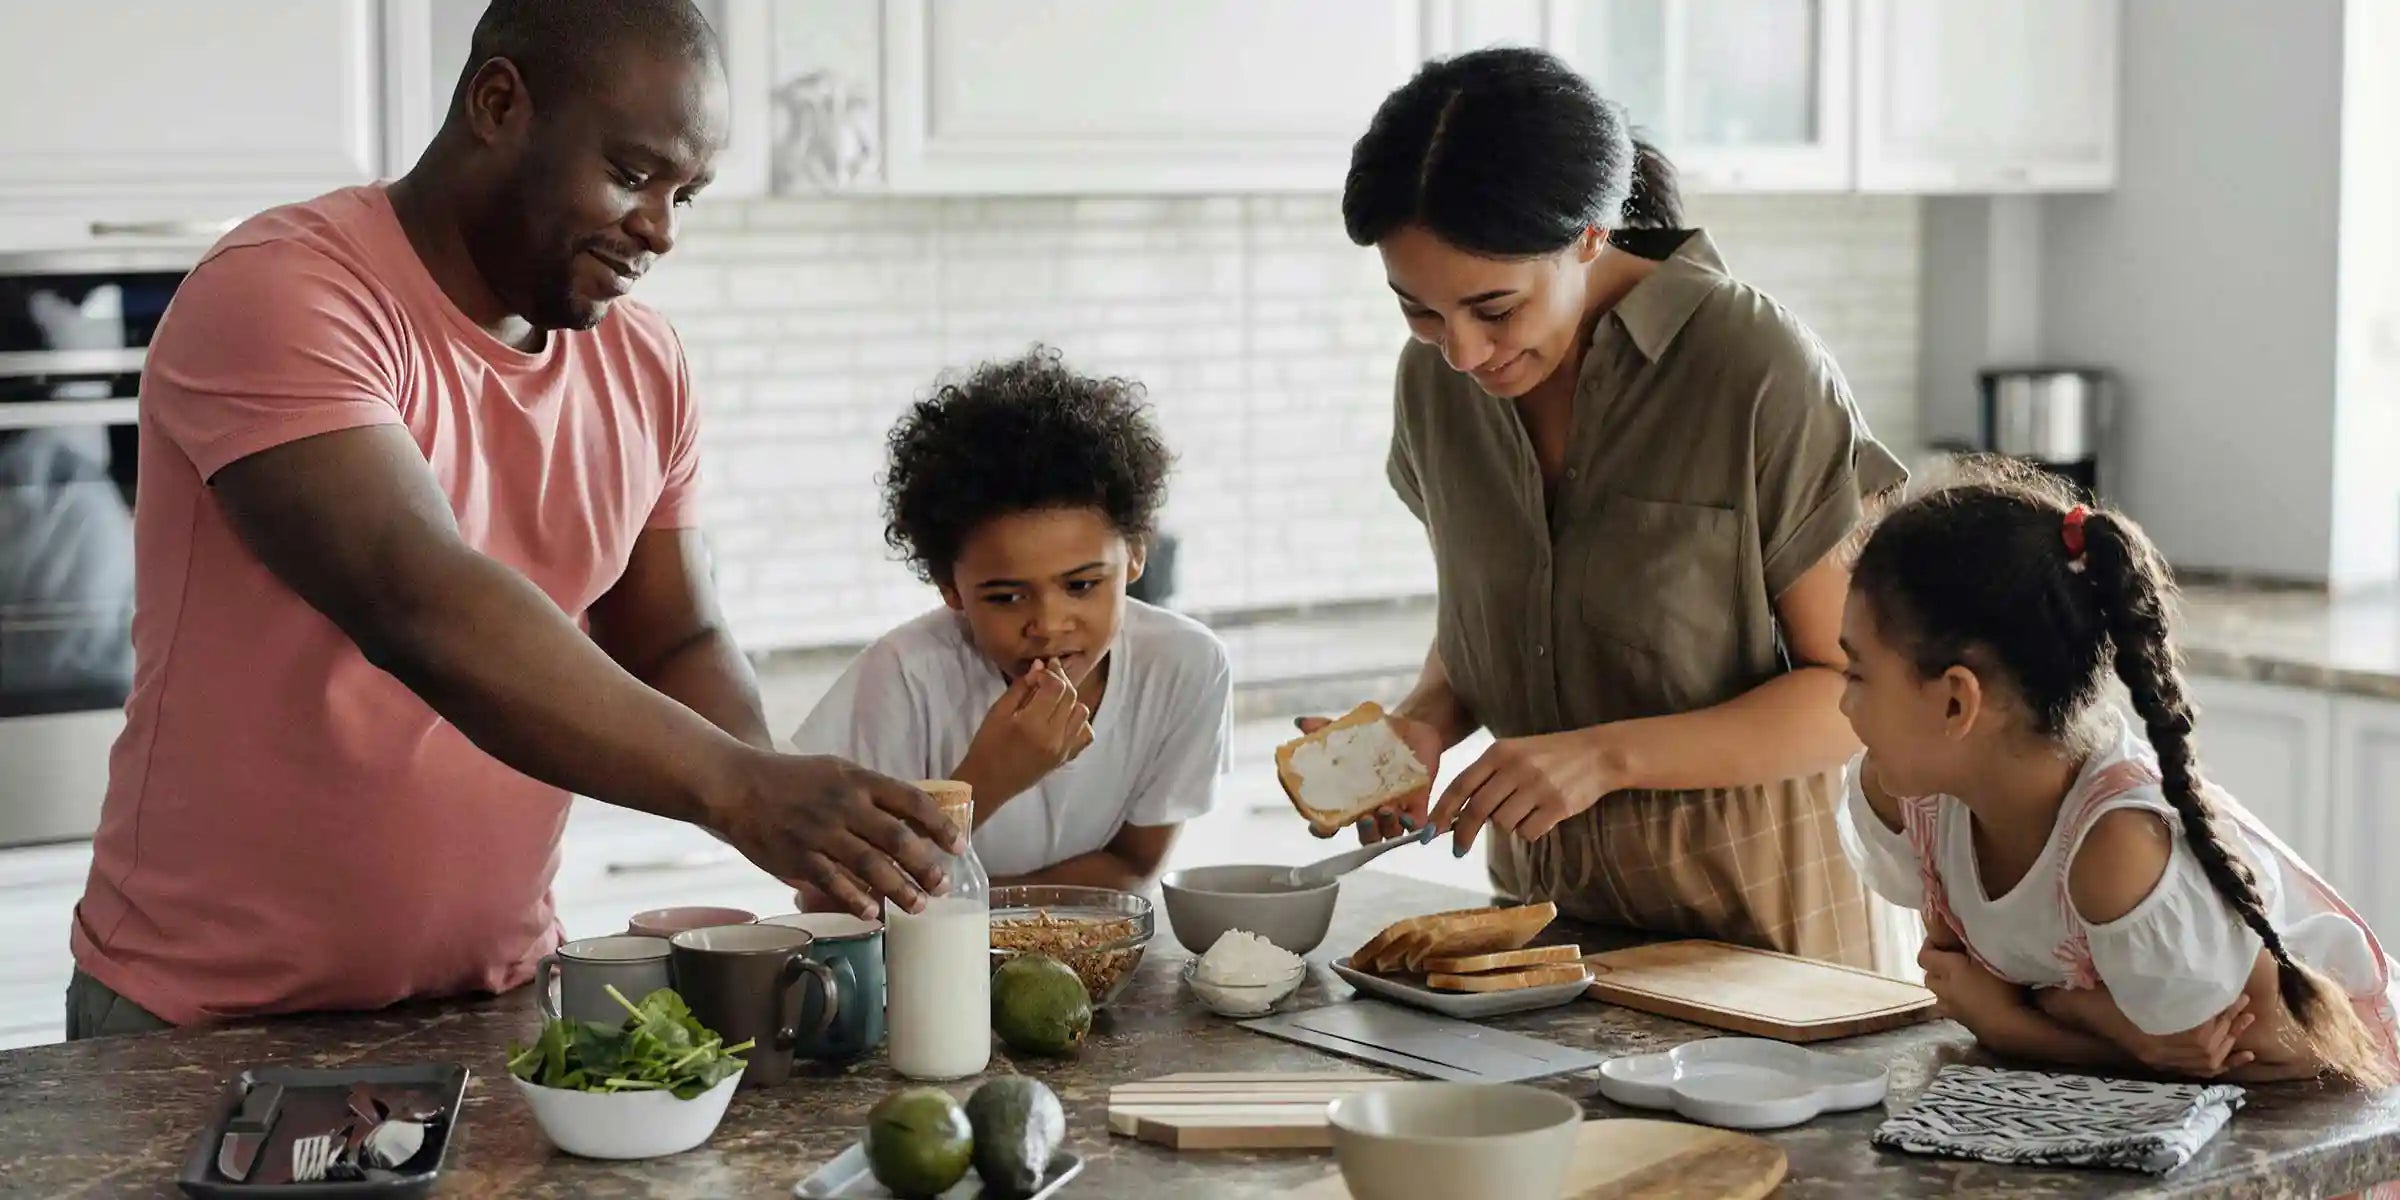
<point x="426" y="52"/>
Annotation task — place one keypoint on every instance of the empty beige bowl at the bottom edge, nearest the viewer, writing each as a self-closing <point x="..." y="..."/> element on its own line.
<point x="1460" y="1141"/>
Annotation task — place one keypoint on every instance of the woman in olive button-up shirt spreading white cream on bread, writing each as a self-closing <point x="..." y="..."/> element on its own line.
<point x="1636" y="474"/>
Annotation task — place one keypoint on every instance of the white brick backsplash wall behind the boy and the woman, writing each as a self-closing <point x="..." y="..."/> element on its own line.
<point x="1264" y="337"/>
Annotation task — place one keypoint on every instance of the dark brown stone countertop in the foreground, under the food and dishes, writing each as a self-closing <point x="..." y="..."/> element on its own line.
<point x="116" y="1117"/>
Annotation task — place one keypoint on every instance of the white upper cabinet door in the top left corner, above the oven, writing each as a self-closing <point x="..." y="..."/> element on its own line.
<point x="167" y="109"/>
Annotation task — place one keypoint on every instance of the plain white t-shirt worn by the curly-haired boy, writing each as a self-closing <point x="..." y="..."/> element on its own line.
<point x="913" y="702"/>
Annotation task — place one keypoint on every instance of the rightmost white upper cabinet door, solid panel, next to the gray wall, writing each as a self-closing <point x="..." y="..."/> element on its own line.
<point x="1986" y="95"/>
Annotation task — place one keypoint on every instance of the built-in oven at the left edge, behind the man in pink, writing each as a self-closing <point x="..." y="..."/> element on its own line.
<point x="73" y="332"/>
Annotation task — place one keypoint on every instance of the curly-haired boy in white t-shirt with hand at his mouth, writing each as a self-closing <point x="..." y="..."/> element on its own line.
<point x="1091" y="724"/>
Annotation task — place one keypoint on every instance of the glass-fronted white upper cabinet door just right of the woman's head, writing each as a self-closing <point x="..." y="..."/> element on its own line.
<point x="1741" y="95"/>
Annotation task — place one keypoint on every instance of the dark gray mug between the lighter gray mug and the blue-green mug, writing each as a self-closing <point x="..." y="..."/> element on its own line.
<point x="748" y="985"/>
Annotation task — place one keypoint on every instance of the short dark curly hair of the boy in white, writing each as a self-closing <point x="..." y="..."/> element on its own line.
<point x="1019" y="436"/>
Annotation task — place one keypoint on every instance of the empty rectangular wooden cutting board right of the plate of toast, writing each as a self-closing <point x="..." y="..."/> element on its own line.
<point x="1756" y="992"/>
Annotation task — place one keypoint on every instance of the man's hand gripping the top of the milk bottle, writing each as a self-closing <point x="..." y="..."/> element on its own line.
<point x="836" y="829"/>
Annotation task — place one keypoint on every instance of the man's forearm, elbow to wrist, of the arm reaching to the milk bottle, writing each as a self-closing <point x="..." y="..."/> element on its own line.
<point x="493" y="656"/>
